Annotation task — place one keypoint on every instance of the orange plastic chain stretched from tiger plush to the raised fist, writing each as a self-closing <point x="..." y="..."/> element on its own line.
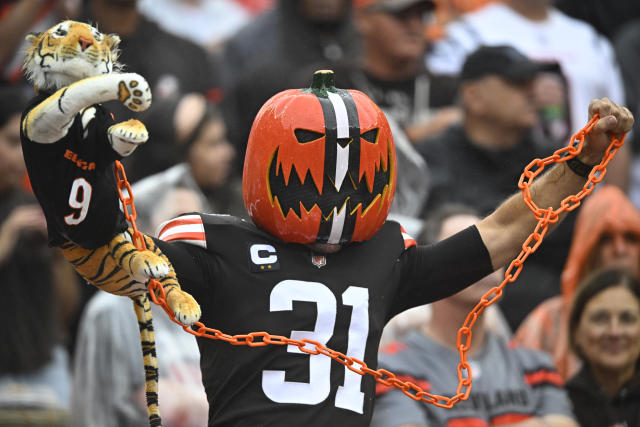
<point x="544" y="217"/>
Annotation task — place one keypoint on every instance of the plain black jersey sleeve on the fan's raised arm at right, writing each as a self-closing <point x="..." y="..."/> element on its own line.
<point x="433" y="272"/>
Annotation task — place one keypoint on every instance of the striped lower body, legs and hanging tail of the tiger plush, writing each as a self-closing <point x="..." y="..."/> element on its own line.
<point x="120" y="268"/>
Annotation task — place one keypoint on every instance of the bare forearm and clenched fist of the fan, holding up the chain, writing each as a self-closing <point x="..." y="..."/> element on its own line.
<point x="504" y="231"/>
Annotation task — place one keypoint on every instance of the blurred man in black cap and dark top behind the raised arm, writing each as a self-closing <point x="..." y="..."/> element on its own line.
<point x="479" y="162"/>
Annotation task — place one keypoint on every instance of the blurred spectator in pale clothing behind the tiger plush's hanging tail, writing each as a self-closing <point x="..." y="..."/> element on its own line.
<point x="108" y="373"/>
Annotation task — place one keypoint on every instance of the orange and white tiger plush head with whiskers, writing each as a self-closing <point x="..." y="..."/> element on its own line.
<point x="68" y="52"/>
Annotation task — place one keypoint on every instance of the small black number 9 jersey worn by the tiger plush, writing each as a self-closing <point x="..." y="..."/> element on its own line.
<point x="74" y="181"/>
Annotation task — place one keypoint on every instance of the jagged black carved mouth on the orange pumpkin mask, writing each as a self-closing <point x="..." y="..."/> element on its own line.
<point x="297" y="195"/>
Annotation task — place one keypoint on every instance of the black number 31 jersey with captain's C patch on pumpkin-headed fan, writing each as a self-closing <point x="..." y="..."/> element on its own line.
<point x="246" y="280"/>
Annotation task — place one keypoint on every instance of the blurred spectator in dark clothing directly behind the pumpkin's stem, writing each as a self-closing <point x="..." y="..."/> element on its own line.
<point x="263" y="57"/>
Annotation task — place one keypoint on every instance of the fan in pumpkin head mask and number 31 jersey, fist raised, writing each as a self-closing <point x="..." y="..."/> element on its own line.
<point x="313" y="283"/>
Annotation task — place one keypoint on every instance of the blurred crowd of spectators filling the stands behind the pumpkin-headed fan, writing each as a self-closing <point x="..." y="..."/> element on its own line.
<point x="473" y="91"/>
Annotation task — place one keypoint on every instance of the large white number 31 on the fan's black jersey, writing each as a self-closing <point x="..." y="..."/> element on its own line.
<point x="318" y="388"/>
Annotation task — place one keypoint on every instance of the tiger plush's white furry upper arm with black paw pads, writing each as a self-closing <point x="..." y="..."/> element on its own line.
<point x="50" y="120"/>
